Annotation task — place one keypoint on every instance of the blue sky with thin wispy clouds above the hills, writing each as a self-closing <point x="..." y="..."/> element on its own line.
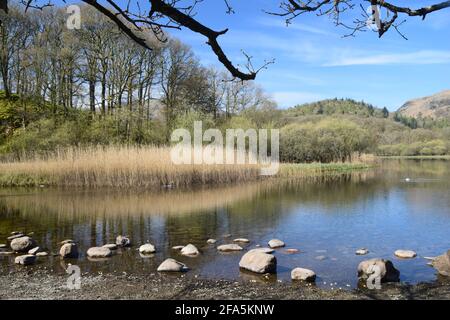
<point x="314" y="61"/>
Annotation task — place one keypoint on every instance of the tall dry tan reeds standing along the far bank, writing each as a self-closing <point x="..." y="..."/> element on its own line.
<point x="142" y="167"/>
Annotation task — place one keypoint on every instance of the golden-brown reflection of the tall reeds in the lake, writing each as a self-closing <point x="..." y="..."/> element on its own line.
<point x="79" y="203"/>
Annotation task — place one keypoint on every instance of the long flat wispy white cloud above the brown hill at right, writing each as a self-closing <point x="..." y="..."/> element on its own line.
<point x="414" y="58"/>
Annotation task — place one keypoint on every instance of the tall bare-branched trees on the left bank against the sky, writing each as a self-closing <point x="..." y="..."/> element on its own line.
<point x="98" y="76"/>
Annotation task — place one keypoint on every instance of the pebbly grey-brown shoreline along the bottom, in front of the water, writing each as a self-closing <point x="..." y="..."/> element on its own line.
<point x="43" y="284"/>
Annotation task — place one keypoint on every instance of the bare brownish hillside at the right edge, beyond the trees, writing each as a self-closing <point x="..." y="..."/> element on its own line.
<point x="435" y="106"/>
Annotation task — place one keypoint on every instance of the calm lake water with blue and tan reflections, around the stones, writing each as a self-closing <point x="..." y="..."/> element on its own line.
<point x="327" y="220"/>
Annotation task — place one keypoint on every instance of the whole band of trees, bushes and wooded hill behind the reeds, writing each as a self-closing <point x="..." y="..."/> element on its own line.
<point x="95" y="86"/>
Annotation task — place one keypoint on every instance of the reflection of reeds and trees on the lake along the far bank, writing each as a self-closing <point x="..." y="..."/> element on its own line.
<point x="177" y="217"/>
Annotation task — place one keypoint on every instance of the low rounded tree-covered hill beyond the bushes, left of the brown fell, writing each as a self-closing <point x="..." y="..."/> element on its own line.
<point x="338" y="107"/>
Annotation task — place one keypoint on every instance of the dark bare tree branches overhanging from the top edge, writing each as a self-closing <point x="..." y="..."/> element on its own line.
<point x="176" y="14"/>
